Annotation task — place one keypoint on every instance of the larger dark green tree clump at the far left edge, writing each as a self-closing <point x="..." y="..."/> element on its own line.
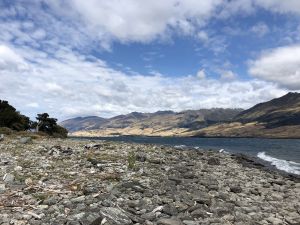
<point x="11" y="118"/>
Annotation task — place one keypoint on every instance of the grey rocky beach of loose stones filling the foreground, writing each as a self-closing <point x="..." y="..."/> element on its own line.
<point x="65" y="181"/>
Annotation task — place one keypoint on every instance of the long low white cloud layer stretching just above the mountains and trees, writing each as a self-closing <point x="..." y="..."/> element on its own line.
<point x="72" y="85"/>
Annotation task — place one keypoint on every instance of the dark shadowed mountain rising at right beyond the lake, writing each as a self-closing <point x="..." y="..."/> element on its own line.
<point x="278" y="118"/>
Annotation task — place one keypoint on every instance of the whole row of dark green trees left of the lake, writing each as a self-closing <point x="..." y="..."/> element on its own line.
<point x="11" y="118"/>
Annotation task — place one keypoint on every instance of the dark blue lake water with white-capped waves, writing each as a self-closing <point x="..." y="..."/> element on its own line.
<point x="282" y="153"/>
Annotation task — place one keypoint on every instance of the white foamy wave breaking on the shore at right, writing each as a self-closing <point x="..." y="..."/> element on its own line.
<point x="281" y="164"/>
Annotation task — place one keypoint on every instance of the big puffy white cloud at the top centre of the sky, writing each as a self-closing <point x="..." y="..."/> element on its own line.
<point x="143" y="21"/>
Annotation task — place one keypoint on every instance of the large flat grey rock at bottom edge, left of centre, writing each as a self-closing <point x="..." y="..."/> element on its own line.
<point x="115" y="216"/>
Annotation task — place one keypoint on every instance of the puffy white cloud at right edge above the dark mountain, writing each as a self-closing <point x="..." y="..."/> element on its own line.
<point x="280" y="65"/>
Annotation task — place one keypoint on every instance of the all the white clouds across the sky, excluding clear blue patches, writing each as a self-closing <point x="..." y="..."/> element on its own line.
<point x="47" y="65"/>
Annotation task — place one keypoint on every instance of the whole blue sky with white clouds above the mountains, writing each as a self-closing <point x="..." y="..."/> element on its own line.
<point x="105" y="58"/>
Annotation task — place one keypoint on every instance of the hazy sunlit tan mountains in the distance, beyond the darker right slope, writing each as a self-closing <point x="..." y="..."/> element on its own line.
<point x="152" y="123"/>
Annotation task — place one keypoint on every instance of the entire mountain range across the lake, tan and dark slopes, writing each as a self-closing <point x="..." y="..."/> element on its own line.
<point x="278" y="118"/>
